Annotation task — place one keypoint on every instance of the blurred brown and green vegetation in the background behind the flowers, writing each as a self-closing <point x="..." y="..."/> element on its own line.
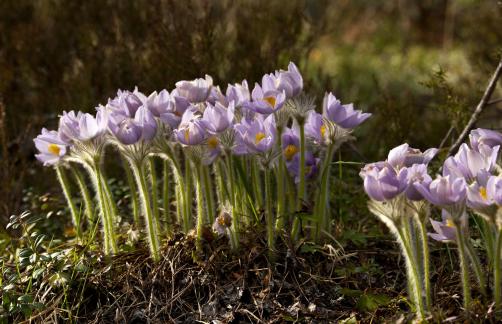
<point x="419" y="65"/>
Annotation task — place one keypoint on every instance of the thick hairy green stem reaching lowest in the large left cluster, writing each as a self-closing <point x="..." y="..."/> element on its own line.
<point x="151" y="222"/>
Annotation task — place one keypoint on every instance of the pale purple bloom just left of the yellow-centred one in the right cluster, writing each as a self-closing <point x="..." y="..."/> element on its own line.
<point x="443" y="191"/>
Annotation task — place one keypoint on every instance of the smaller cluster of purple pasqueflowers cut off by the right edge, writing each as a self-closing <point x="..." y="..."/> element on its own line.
<point x="401" y="191"/>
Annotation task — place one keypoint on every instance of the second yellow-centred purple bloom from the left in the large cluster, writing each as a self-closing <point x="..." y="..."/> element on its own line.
<point x="191" y="130"/>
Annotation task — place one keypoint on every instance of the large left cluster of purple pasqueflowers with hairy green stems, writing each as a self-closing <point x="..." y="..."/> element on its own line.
<point x="240" y="141"/>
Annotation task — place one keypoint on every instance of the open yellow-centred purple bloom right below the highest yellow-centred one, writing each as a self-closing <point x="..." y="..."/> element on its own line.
<point x="258" y="135"/>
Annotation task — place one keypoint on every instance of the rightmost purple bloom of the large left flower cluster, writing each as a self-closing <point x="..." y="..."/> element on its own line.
<point x="343" y="115"/>
